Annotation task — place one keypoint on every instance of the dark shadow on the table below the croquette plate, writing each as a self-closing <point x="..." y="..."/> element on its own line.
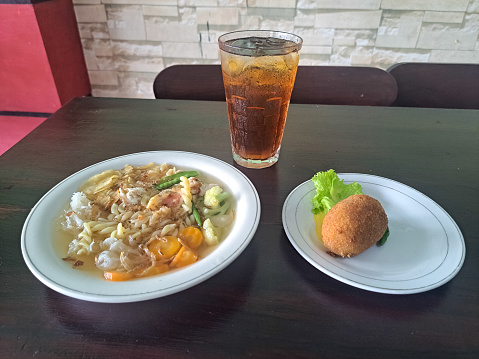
<point x="329" y="292"/>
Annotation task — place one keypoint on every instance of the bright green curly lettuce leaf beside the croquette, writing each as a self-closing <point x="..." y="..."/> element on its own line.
<point x="330" y="190"/>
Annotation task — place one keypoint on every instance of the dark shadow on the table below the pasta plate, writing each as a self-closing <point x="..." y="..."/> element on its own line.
<point x="179" y="316"/>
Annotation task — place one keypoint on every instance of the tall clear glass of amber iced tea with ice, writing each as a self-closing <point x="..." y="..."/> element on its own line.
<point x="259" y="69"/>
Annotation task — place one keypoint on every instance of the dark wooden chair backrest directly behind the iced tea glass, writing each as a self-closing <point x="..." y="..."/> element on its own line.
<point x="329" y="85"/>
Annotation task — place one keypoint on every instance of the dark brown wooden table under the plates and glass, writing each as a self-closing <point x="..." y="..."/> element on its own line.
<point x="269" y="302"/>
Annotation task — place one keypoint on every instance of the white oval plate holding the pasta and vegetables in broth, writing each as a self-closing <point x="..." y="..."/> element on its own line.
<point x="46" y="264"/>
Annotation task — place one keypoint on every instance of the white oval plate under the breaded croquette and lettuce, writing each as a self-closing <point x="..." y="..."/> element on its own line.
<point x="425" y="248"/>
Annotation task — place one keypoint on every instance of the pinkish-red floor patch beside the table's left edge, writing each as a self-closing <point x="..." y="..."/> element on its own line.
<point x="14" y="128"/>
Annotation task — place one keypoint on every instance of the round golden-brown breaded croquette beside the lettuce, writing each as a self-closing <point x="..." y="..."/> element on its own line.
<point x="354" y="225"/>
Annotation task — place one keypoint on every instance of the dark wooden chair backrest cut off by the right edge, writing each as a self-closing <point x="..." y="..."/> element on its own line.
<point x="436" y="85"/>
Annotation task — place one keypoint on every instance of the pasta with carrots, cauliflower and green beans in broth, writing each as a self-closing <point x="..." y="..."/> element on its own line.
<point x="134" y="229"/>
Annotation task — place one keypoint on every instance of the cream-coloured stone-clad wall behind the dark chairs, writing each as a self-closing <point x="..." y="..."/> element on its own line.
<point x="128" y="42"/>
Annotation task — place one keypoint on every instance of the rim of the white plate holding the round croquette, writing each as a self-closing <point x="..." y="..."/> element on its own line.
<point x="452" y="273"/>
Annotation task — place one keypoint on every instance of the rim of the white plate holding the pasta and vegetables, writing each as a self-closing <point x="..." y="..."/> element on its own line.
<point x="160" y="291"/>
